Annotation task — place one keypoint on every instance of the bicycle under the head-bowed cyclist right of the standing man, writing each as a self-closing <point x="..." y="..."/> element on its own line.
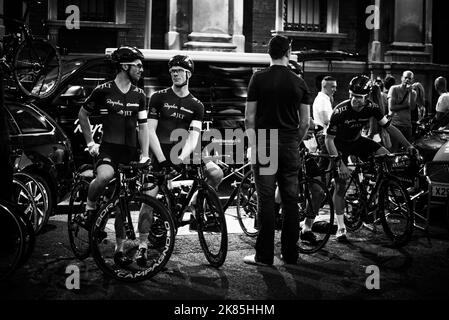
<point x="374" y="195"/>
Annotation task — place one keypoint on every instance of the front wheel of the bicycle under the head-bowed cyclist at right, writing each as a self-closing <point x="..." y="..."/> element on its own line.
<point x="396" y="214"/>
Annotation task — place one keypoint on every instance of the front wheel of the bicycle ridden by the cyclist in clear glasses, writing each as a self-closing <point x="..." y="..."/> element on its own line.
<point x="212" y="230"/>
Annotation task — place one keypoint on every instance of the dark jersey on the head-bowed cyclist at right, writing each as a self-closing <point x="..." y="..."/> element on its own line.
<point x="346" y="124"/>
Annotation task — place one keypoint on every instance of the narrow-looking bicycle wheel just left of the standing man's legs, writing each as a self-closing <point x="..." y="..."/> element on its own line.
<point x="247" y="205"/>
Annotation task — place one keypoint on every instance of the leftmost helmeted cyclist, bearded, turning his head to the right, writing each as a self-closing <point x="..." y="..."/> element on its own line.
<point x="122" y="105"/>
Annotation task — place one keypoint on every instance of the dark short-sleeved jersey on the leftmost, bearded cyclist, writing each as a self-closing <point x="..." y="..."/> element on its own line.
<point x="119" y="112"/>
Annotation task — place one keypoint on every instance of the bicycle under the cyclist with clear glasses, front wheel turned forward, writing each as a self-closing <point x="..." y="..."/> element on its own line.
<point x="209" y="215"/>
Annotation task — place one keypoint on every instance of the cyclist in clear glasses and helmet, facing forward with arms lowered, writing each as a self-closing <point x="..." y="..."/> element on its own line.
<point x="170" y="109"/>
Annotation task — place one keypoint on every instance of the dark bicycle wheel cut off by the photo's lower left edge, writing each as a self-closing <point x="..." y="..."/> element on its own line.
<point x="12" y="241"/>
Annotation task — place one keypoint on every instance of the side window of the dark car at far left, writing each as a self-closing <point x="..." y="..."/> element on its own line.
<point x="29" y="121"/>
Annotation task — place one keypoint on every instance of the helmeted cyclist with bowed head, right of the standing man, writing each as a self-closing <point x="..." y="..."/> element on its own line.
<point x="344" y="136"/>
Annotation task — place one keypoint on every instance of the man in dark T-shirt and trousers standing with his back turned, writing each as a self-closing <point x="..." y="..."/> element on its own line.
<point x="277" y="100"/>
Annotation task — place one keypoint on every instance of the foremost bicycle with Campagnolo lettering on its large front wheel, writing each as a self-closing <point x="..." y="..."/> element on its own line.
<point x="118" y="218"/>
